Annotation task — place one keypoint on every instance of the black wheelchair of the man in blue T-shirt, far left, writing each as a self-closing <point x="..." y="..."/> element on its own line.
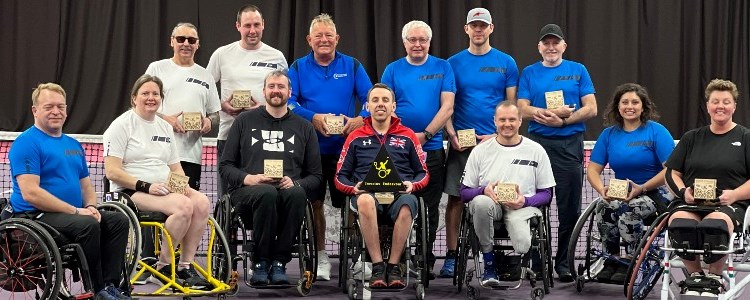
<point x="32" y="265"/>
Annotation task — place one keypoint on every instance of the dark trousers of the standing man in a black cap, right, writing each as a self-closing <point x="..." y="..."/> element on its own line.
<point x="566" y="156"/>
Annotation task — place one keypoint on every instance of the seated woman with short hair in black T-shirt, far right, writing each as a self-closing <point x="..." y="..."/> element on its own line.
<point x="717" y="151"/>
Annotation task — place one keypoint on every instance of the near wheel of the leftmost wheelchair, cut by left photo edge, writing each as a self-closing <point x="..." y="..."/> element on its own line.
<point x="30" y="264"/>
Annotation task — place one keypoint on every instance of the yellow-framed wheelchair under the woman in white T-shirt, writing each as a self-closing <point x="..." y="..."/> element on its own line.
<point x="215" y="269"/>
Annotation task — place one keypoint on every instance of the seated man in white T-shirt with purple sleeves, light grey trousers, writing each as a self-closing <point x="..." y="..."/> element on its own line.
<point x="508" y="158"/>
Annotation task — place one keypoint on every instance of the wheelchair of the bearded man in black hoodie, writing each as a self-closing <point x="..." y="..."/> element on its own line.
<point x="237" y="228"/>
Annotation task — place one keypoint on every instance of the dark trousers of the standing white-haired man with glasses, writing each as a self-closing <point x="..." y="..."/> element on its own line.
<point x="431" y="195"/>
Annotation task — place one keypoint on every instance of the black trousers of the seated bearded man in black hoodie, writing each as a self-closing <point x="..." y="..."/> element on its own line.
<point x="276" y="216"/>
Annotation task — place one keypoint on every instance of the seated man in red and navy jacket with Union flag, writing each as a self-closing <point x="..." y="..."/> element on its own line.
<point x="359" y="153"/>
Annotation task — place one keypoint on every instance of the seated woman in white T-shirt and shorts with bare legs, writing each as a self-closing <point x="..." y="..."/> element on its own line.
<point x="139" y="154"/>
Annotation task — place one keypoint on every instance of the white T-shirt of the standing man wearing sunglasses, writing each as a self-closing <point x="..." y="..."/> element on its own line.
<point x="186" y="89"/>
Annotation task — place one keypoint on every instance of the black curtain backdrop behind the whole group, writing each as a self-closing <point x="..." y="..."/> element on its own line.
<point x="97" y="48"/>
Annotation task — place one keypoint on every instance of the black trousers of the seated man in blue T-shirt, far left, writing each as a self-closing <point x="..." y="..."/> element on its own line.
<point x="103" y="243"/>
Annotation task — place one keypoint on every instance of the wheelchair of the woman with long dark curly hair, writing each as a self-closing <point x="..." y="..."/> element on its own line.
<point x="587" y="253"/>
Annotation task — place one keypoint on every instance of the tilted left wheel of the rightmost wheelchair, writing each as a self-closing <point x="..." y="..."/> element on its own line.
<point x="645" y="269"/>
